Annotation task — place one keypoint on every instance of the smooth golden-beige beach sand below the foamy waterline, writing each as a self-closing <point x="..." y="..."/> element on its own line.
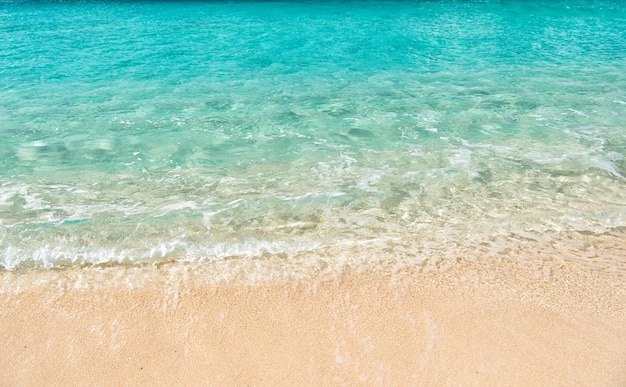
<point x="475" y="323"/>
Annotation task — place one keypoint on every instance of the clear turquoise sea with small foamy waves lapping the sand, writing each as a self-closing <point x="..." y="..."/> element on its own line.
<point x="193" y="131"/>
